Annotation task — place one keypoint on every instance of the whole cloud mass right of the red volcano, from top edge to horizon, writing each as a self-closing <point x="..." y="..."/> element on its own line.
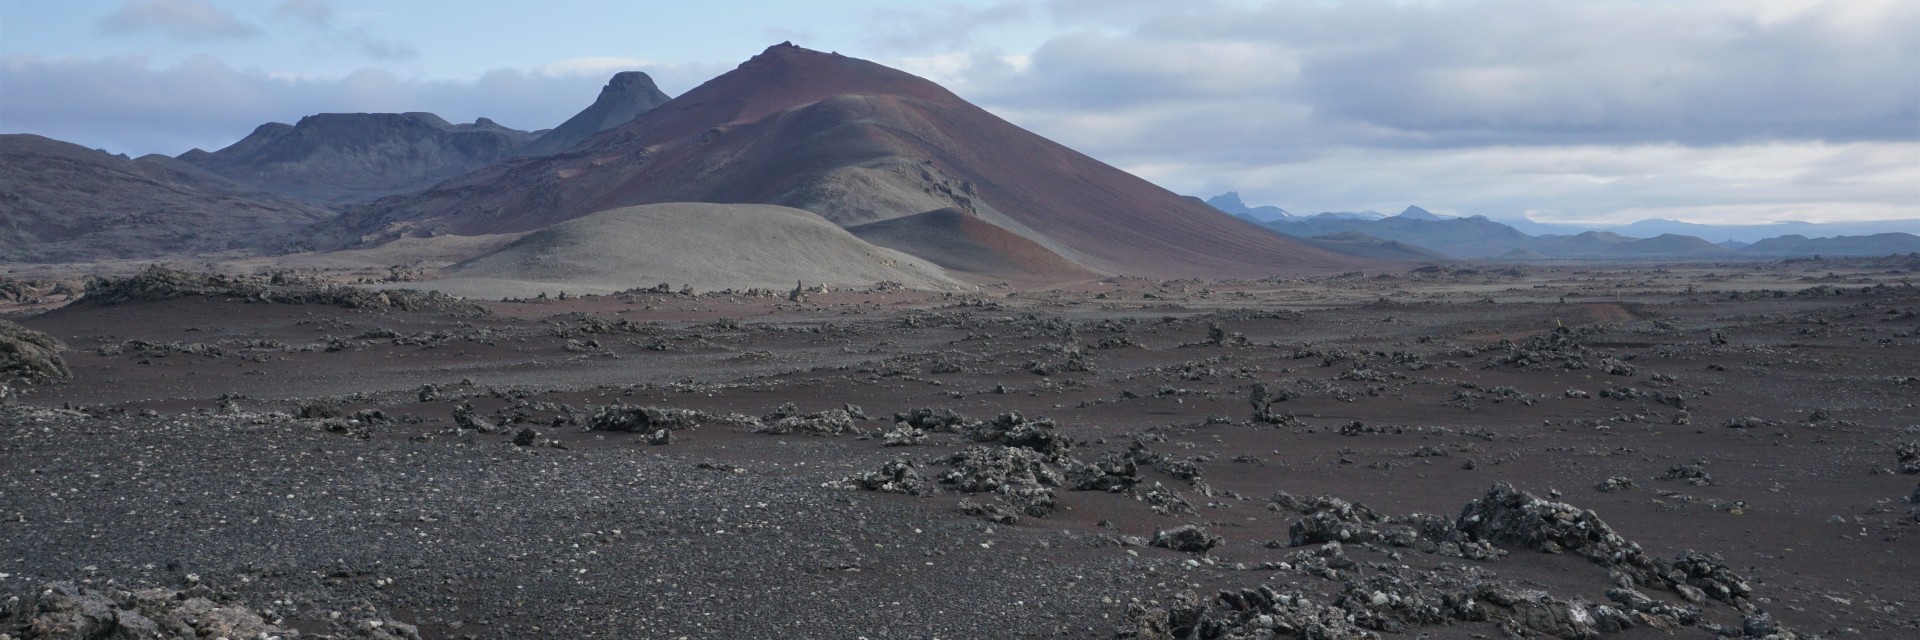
<point x="1573" y="111"/>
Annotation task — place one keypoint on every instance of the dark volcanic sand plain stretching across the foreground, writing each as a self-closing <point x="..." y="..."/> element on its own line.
<point x="178" y="449"/>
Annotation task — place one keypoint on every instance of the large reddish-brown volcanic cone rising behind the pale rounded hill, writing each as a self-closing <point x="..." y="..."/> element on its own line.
<point x="855" y="143"/>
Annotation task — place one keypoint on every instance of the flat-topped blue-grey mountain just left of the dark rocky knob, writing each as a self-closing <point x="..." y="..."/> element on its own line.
<point x="360" y="157"/>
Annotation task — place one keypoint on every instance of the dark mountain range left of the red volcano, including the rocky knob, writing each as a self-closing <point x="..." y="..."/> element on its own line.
<point x="64" y="203"/>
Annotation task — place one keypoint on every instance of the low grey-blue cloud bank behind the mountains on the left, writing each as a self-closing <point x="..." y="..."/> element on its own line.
<point x="130" y="105"/>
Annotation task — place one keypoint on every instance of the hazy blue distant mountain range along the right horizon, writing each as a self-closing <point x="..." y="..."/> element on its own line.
<point x="1477" y="237"/>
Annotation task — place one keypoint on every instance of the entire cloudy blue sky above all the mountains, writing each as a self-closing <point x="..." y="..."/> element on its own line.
<point x="1547" y="111"/>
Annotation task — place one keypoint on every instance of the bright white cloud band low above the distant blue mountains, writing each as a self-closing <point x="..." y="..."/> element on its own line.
<point x="1595" y="184"/>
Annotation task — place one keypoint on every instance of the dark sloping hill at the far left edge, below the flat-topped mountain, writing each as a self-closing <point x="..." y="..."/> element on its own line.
<point x="66" y="203"/>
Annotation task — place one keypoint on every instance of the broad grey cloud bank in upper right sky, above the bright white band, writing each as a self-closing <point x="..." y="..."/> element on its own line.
<point x="1493" y="72"/>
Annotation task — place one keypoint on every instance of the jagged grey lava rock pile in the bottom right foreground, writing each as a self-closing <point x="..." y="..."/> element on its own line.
<point x="1397" y="599"/>
